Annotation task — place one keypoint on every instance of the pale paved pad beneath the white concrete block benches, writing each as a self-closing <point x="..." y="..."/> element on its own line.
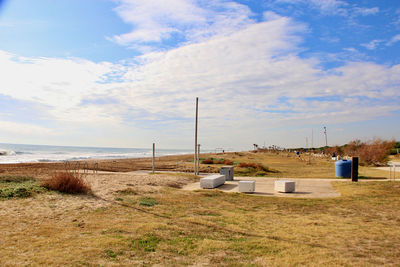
<point x="305" y="188"/>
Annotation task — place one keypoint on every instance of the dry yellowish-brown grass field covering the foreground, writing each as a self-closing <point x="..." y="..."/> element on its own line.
<point x="164" y="225"/>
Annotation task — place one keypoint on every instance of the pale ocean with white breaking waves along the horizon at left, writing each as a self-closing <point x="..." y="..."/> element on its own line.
<point x="18" y="153"/>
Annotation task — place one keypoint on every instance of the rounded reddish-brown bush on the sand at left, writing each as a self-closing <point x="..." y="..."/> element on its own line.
<point x="67" y="182"/>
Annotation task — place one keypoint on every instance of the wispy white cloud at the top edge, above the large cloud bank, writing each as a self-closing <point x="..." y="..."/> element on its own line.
<point x="190" y="20"/>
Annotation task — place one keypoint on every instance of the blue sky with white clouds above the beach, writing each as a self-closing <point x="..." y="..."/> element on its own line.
<point x="125" y="73"/>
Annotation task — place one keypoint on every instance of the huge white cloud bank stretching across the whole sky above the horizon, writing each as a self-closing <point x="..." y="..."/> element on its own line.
<point x="248" y="81"/>
